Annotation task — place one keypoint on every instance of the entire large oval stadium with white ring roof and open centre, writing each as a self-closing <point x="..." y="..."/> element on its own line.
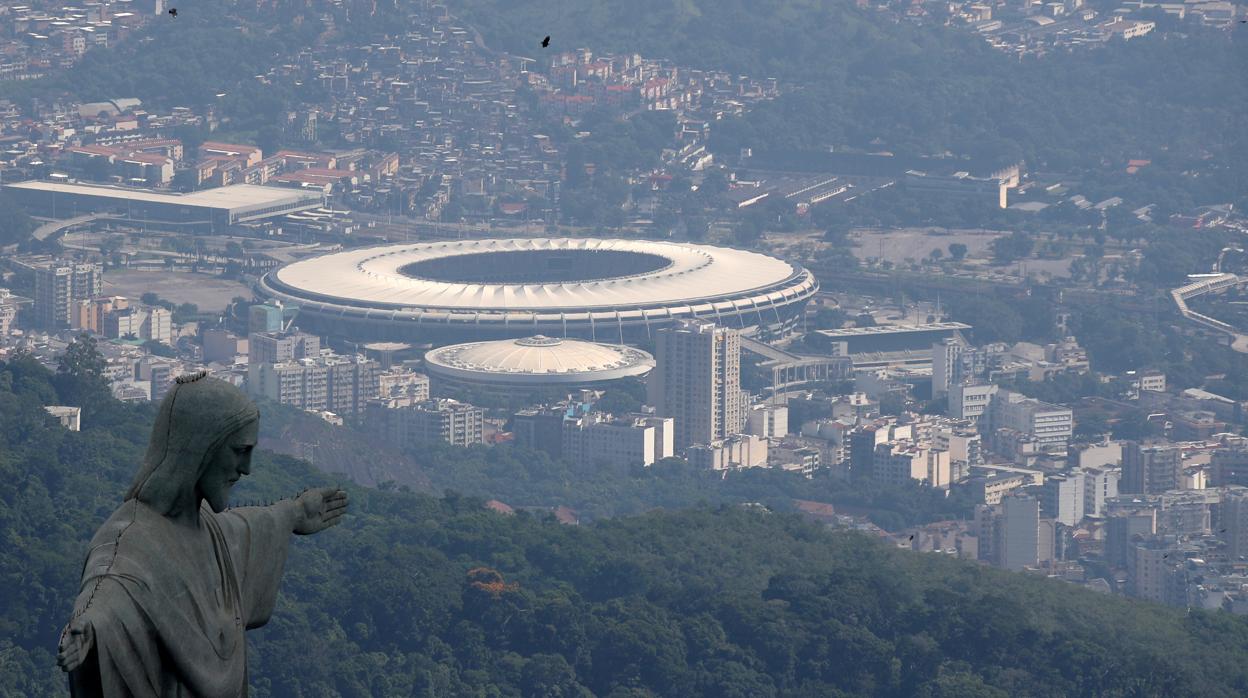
<point x="602" y="290"/>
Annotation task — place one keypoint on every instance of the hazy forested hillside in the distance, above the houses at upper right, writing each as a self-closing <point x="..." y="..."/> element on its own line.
<point x="856" y="76"/>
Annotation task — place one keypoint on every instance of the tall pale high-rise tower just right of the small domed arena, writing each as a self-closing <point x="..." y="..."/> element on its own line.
<point x="698" y="383"/>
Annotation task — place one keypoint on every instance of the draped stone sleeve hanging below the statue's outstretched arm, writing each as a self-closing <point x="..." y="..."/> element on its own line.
<point x="259" y="539"/>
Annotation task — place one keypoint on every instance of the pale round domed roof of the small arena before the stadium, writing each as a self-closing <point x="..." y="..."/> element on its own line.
<point x="539" y="360"/>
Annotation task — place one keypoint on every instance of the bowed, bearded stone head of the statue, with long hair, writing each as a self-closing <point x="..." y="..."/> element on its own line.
<point x="202" y="445"/>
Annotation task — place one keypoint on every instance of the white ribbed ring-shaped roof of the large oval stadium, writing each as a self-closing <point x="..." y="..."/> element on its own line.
<point x="373" y="277"/>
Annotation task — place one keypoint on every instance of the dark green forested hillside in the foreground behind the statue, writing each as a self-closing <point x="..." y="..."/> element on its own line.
<point x="417" y="596"/>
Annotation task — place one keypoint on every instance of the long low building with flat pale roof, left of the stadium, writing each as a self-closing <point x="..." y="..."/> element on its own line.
<point x="203" y="212"/>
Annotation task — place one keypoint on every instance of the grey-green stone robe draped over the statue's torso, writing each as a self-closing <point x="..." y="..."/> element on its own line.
<point x="172" y="605"/>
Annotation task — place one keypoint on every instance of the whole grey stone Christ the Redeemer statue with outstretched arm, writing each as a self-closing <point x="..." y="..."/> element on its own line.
<point x="174" y="578"/>
